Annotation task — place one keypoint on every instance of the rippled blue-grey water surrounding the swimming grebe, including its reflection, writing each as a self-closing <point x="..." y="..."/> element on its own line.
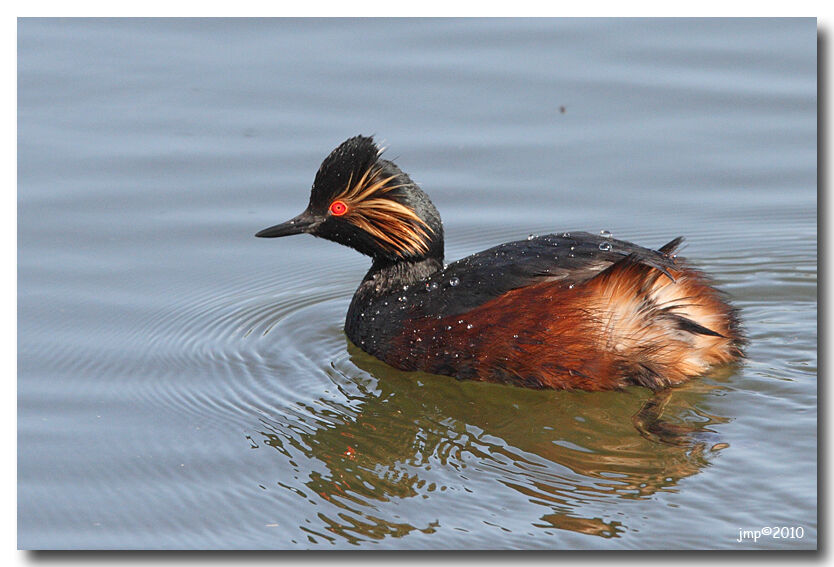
<point x="183" y="384"/>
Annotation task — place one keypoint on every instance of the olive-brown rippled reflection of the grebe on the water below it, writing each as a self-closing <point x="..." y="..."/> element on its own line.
<point x="401" y="435"/>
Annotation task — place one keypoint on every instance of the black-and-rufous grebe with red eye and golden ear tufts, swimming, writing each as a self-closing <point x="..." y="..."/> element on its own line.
<point x="569" y="310"/>
